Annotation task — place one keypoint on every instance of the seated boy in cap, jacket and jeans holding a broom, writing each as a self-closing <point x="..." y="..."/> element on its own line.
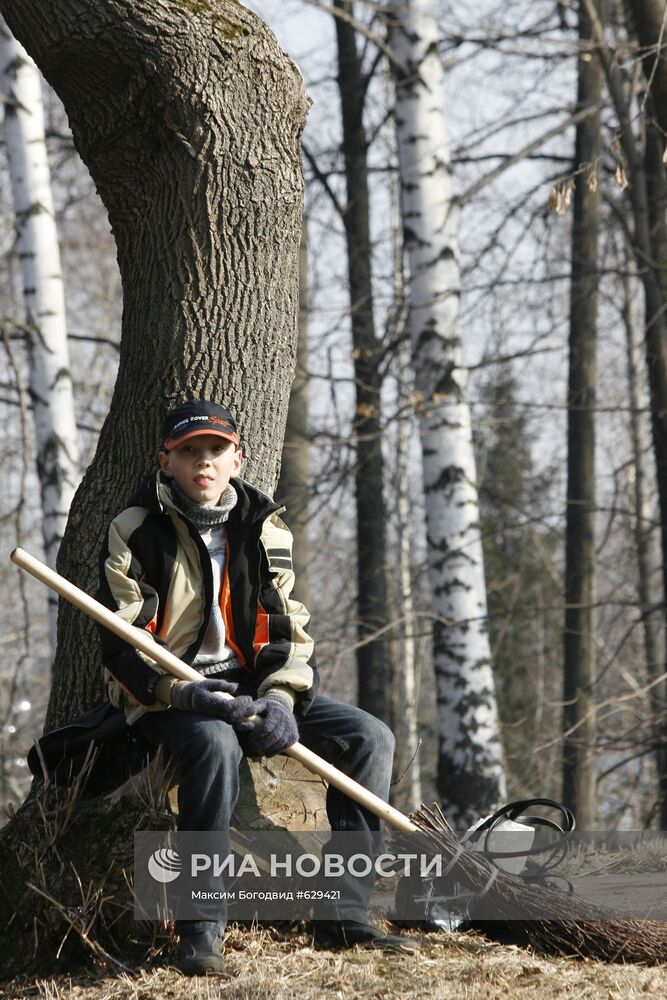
<point x="201" y="559"/>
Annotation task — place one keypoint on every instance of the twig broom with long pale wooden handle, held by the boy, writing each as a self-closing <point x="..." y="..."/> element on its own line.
<point x="577" y="927"/>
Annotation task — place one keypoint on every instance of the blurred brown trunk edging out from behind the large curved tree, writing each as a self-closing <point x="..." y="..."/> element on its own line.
<point x="294" y="479"/>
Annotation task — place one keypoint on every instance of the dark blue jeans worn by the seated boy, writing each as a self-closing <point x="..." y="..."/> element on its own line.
<point x="208" y="756"/>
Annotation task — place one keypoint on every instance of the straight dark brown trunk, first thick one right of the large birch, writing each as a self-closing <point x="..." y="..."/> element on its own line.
<point x="579" y="779"/>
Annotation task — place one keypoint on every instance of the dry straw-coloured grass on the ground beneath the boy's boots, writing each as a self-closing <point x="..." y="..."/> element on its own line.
<point x="272" y="966"/>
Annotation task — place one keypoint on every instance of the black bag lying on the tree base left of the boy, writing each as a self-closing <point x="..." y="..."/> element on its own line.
<point x="120" y="751"/>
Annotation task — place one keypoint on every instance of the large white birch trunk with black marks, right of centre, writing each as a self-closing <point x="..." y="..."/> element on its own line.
<point x="471" y="771"/>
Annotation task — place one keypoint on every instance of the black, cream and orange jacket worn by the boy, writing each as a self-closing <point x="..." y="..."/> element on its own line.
<point x="155" y="572"/>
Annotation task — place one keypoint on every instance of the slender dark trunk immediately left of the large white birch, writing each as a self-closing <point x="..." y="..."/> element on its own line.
<point x="372" y="654"/>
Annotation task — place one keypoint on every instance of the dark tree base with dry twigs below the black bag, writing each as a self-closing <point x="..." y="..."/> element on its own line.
<point x="66" y="867"/>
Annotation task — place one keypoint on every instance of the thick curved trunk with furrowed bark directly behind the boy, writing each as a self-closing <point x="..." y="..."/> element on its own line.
<point x="188" y="118"/>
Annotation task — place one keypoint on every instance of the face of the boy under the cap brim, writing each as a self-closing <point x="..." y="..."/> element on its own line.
<point x="203" y="466"/>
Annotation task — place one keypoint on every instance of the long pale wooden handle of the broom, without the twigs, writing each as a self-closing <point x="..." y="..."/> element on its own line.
<point x="141" y="640"/>
